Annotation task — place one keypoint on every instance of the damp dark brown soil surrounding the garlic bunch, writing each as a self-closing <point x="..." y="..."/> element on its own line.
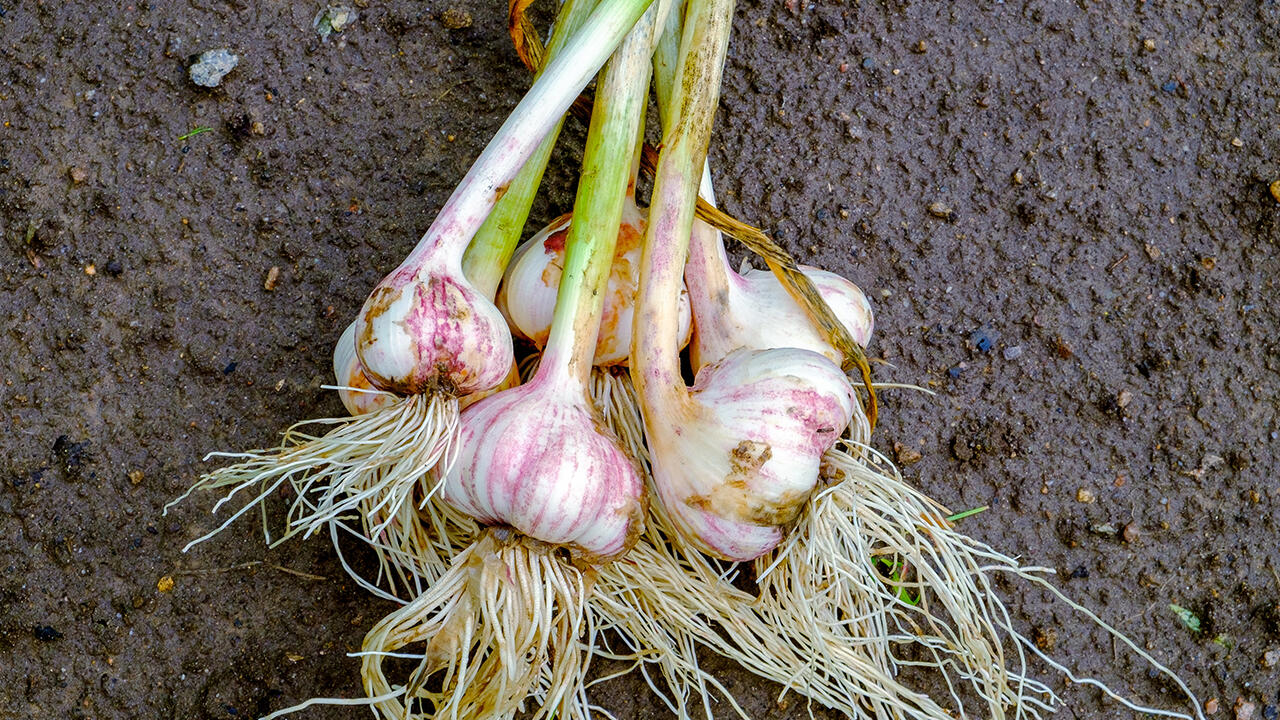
<point x="1062" y="212"/>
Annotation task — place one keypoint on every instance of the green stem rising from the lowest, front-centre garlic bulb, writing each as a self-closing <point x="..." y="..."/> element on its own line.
<point x="621" y="98"/>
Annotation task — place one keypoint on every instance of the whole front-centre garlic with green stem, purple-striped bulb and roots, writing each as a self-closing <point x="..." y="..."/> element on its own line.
<point x="508" y="619"/>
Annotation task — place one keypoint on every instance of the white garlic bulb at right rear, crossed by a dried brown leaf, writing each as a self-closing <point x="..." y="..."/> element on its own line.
<point x="757" y="313"/>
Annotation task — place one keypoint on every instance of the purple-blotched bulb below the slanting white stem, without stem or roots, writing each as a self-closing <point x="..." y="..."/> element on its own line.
<point x="427" y="330"/>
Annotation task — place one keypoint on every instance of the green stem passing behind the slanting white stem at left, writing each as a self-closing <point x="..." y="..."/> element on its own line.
<point x="491" y="249"/>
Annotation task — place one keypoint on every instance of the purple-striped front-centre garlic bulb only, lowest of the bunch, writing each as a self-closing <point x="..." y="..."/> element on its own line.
<point x="536" y="458"/>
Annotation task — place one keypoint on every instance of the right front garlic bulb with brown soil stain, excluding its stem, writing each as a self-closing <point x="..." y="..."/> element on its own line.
<point x="738" y="459"/>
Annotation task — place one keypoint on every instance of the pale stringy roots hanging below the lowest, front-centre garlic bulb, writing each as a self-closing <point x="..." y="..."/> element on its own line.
<point x="508" y="622"/>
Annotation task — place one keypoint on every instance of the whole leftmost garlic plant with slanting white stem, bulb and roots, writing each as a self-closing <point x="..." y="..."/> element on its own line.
<point x="426" y="332"/>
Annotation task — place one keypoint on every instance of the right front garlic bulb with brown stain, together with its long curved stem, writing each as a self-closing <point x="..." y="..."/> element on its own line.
<point x="737" y="457"/>
